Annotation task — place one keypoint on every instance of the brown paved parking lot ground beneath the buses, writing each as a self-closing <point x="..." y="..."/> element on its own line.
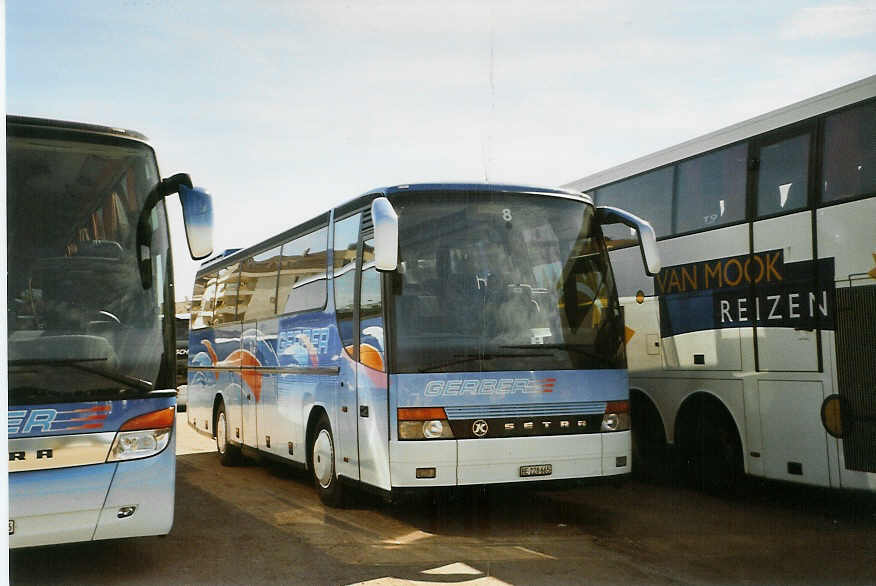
<point x="263" y="524"/>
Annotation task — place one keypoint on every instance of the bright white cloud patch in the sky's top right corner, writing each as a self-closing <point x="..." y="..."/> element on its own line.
<point x="834" y="21"/>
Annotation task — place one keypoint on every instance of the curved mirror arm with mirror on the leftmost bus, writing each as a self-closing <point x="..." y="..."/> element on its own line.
<point x="197" y="208"/>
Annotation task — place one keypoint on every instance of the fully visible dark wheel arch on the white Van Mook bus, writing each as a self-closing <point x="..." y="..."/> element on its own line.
<point x="708" y="444"/>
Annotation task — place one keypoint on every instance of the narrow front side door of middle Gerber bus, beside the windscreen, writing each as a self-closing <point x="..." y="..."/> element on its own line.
<point x="371" y="378"/>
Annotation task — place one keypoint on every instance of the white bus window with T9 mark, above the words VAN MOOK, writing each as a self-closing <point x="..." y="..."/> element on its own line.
<point x="711" y="189"/>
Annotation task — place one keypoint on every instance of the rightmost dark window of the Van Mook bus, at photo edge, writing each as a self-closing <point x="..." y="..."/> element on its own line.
<point x="850" y="154"/>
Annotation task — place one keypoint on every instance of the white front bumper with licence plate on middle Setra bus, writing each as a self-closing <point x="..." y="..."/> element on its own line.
<point x="490" y="461"/>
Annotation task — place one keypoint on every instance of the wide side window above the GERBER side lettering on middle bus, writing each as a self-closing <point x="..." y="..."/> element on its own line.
<point x="302" y="273"/>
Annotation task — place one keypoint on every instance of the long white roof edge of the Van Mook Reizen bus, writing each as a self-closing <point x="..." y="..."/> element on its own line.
<point x="820" y="104"/>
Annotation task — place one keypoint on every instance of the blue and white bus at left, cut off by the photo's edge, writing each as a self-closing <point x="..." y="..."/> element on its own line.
<point x="90" y="332"/>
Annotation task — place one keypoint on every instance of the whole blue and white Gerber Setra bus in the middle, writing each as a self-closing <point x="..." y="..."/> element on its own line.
<point x="420" y="336"/>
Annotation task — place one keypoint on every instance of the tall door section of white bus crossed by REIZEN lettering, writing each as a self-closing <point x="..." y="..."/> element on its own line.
<point x="786" y="295"/>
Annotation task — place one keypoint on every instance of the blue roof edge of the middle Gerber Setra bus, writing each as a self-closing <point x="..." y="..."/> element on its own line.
<point x="361" y="201"/>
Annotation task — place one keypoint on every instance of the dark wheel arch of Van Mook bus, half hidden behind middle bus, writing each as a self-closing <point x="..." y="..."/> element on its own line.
<point x="648" y="436"/>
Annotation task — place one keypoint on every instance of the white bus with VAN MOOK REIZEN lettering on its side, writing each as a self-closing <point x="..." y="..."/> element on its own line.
<point x="754" y="350"/>
